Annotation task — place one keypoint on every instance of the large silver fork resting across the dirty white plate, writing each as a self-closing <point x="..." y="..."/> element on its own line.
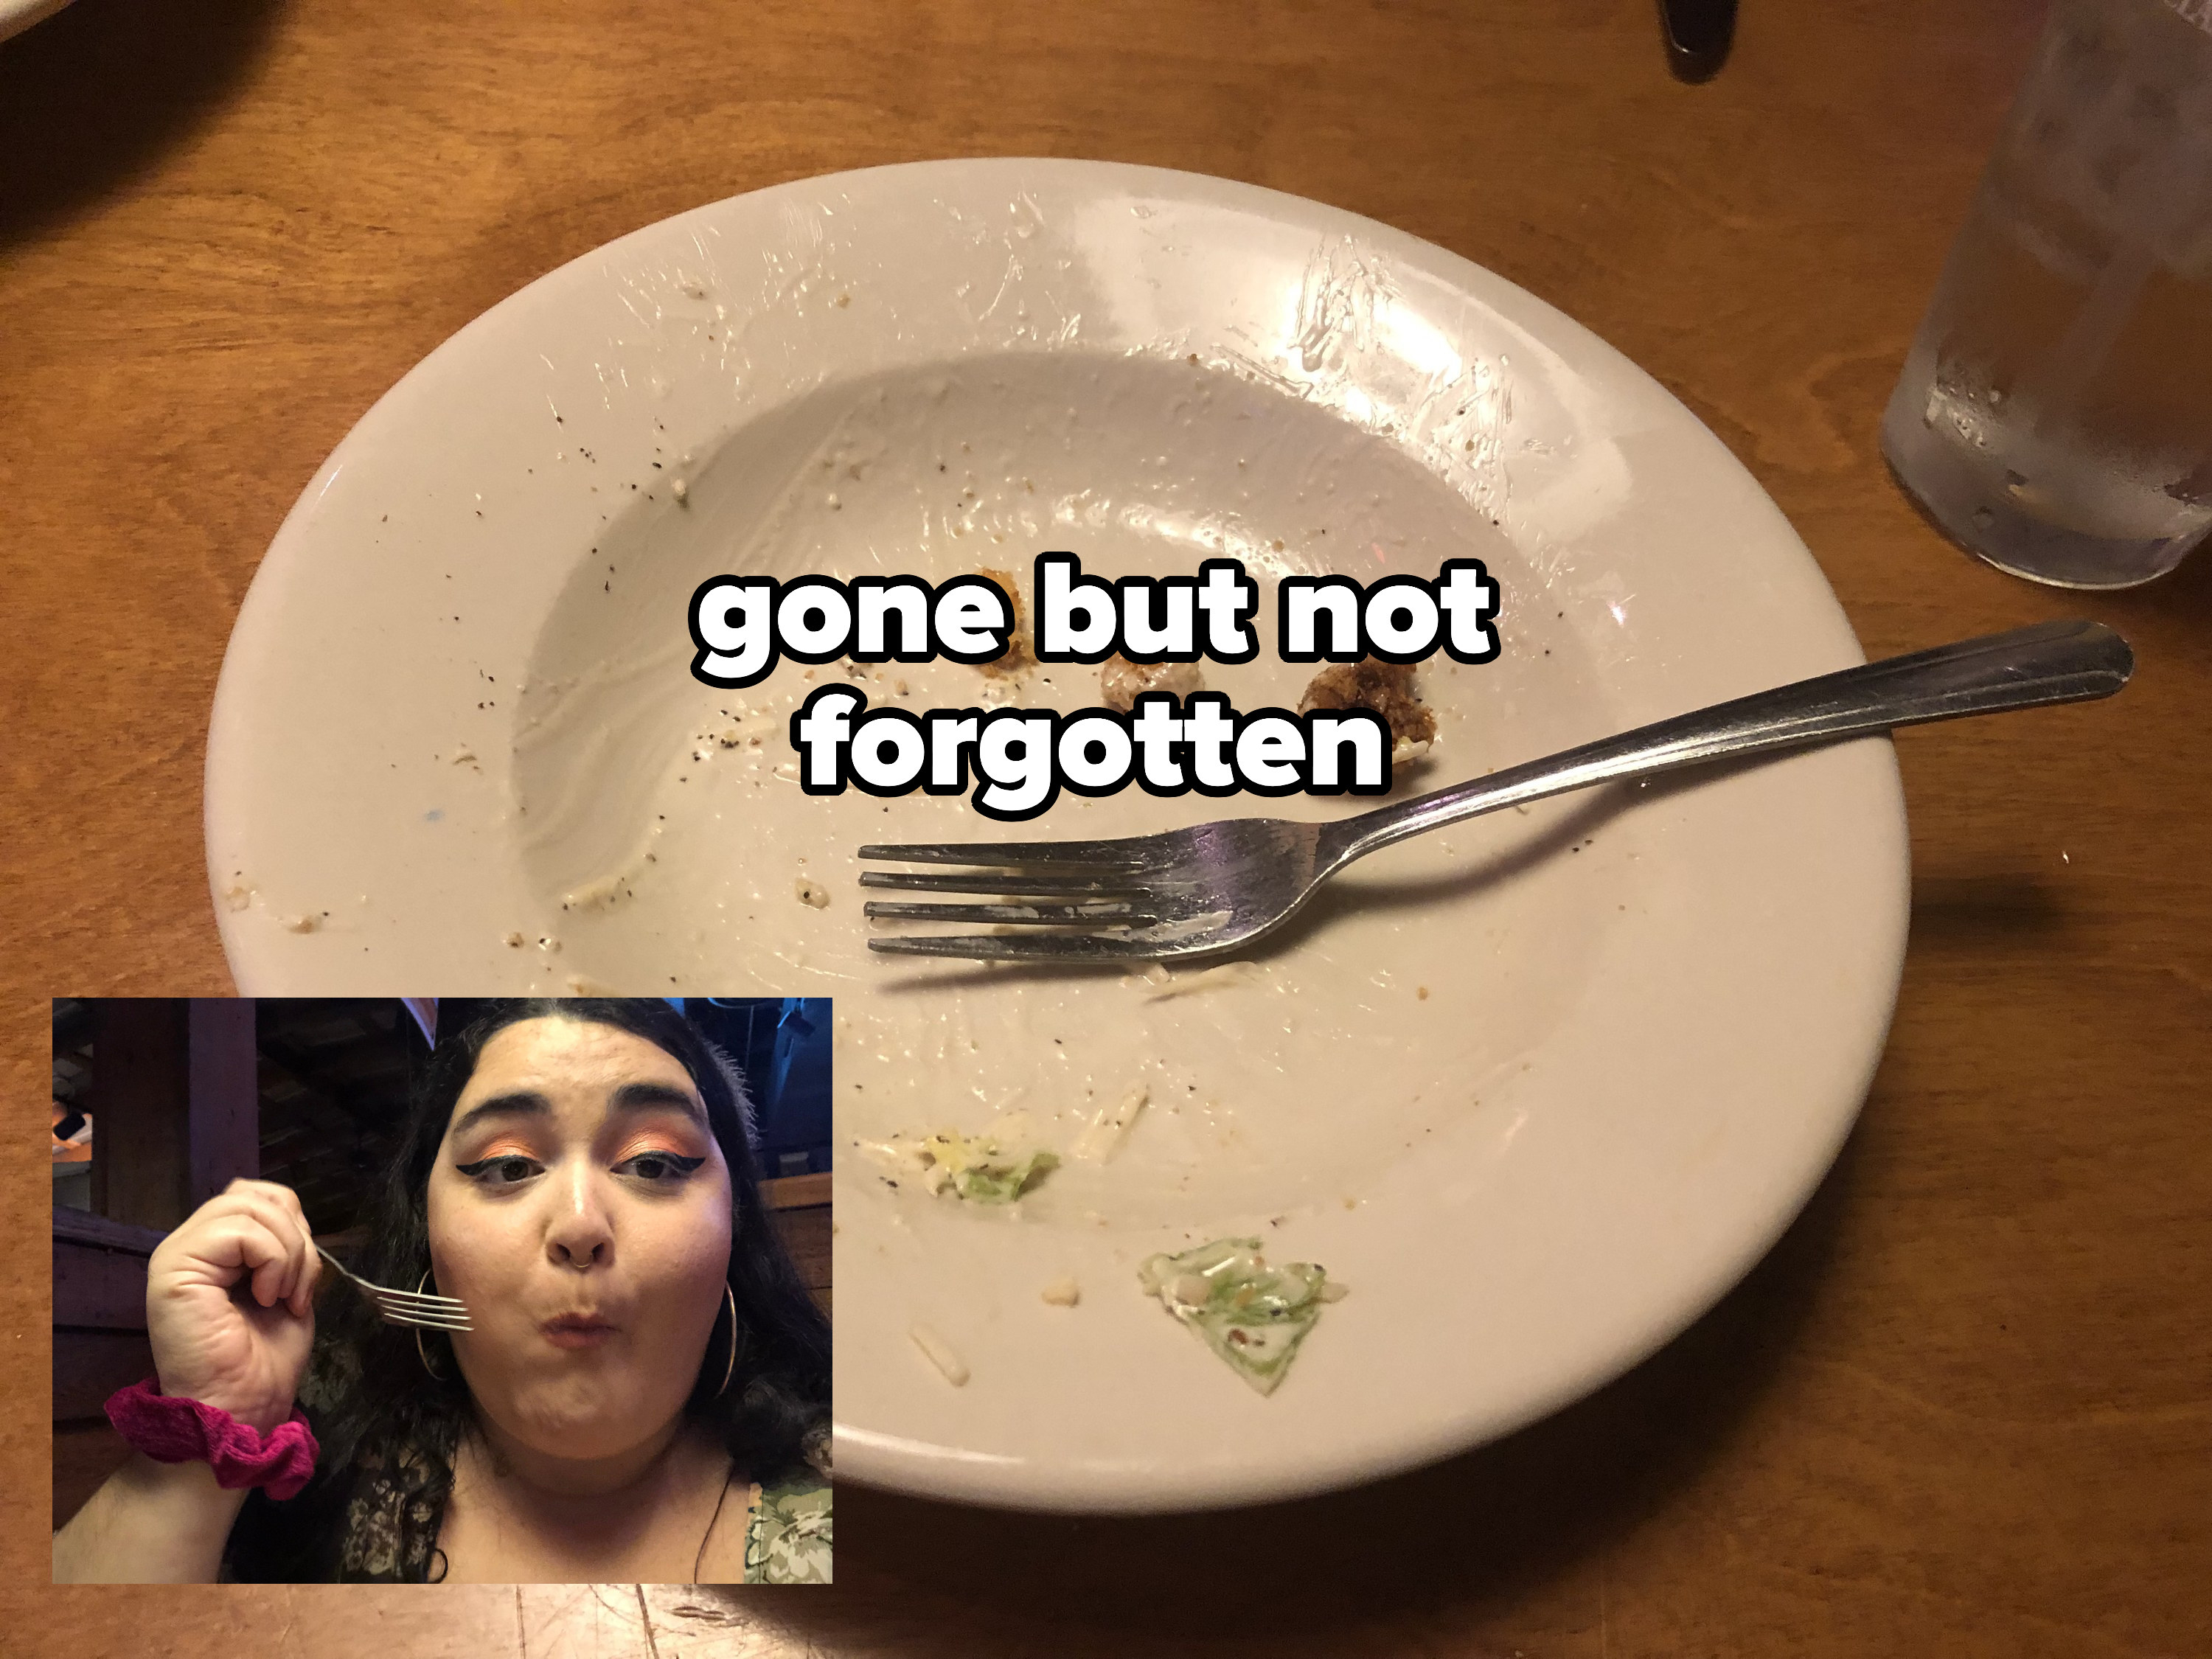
<point x="1227" y="884"/>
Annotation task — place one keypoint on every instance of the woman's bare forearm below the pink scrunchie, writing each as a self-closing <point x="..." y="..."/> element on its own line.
<point x="152" y="1523"/>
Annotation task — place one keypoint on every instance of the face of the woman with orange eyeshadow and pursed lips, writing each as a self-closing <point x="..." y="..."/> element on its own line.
<point x="581" y="1209"/>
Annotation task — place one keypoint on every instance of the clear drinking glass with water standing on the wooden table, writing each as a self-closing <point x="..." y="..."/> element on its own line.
<point x="2056" y="410"/>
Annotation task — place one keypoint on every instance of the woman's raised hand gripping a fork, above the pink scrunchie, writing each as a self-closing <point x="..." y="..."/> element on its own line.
<point x="231" y="1304"/>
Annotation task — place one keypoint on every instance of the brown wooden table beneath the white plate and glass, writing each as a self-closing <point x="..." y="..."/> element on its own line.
<point x="1963" y="1410"/>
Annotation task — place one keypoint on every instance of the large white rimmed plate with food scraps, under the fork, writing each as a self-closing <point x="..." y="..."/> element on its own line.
<point x="1536" y="1089"/>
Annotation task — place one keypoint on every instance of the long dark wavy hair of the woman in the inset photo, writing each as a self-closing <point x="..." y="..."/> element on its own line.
<point x="375" y="1401"/>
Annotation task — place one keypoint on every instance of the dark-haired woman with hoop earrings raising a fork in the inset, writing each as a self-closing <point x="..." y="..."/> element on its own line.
<point x="645" y="1388"/>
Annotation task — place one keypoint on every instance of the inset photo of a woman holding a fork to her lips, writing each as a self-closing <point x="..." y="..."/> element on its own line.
<point x="437" y="1291"/>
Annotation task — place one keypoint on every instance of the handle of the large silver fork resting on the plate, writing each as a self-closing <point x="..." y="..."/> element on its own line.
<point x="2054" y="662"/>
